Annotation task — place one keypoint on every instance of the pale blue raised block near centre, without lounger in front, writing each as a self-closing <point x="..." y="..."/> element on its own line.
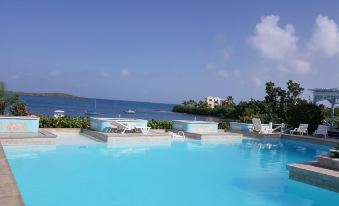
<point x="195" y="126"/>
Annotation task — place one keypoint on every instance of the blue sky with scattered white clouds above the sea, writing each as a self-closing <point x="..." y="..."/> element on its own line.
<point x="168" y="51"/>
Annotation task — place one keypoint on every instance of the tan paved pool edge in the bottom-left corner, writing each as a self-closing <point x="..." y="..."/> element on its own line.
<point x="9" y="192"/>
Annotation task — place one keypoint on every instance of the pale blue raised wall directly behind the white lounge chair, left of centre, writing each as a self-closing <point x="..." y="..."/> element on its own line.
<point x="104" y="124"/>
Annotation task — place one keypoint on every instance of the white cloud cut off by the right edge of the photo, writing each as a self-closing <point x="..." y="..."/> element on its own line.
<point x="325" y="38"/>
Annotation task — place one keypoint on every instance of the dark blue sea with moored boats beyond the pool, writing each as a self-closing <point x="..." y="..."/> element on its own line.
<point x="106" y="108"/>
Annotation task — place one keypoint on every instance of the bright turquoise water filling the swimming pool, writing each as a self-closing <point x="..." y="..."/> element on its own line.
<point x="236" y="172"/>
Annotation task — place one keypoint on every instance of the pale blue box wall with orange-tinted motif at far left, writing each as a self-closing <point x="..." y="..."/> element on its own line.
<point x="19" y="124"/>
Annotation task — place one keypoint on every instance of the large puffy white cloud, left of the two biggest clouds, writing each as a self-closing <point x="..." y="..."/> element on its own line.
<point x="279" y="45"/>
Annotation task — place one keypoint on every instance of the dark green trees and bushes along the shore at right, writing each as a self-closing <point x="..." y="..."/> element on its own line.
<point x="279" y="106"/>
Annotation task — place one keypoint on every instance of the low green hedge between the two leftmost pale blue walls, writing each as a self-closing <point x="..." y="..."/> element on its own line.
<point x="64" y="122"/>
